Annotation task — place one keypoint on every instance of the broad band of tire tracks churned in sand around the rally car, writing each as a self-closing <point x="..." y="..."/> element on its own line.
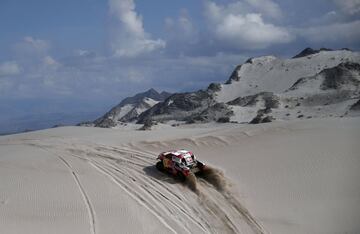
<point x="117" y="162"/>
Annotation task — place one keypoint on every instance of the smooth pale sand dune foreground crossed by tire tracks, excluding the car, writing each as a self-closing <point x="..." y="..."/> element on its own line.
<point x="284" y="177"/>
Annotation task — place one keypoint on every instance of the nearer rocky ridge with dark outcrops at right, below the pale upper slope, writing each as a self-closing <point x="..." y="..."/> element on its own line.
<point x="331" y="92"/>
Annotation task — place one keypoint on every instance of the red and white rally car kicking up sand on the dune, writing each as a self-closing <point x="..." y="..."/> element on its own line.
<point x="180" y="163"/>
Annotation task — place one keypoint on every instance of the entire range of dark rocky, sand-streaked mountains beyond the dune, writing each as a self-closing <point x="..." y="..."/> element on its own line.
<point x="312" y="84"/>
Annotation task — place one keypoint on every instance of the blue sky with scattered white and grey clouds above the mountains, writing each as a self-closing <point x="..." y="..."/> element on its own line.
<point x="86" y="55"/>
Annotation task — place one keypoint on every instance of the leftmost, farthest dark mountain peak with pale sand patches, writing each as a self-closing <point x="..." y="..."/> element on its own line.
<point x="129" y="109"/>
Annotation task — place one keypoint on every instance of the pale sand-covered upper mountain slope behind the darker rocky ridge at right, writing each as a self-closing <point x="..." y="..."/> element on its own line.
<point x="272" y="74"/>
